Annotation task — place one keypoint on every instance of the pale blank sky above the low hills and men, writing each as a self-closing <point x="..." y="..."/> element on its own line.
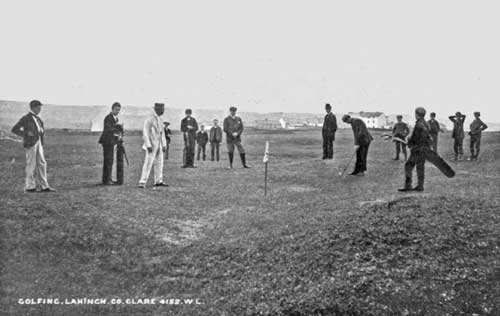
<point x="264" y="56"/>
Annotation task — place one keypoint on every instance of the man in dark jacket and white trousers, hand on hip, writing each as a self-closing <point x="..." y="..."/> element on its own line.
<point x="30" y="128"/>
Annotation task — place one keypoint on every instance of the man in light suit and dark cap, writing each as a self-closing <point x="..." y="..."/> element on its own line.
<point x="155" y="145"/>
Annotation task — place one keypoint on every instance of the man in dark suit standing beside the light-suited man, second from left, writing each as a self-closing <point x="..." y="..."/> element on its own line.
<point x="108" y="140"/>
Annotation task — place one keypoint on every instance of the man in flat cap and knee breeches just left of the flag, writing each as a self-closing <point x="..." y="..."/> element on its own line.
<point x="233" y="127"/>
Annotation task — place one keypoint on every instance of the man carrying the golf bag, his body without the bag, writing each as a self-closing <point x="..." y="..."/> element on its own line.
<point x="420" y="146"/>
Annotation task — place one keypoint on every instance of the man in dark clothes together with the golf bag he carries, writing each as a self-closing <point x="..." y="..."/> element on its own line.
<point x="420" y="150"/>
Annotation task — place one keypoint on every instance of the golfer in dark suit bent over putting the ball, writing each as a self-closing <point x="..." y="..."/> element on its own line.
<point x="362" y="140"/>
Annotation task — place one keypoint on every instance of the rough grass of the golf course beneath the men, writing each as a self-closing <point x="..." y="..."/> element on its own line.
<point x="318" y="244"/>
